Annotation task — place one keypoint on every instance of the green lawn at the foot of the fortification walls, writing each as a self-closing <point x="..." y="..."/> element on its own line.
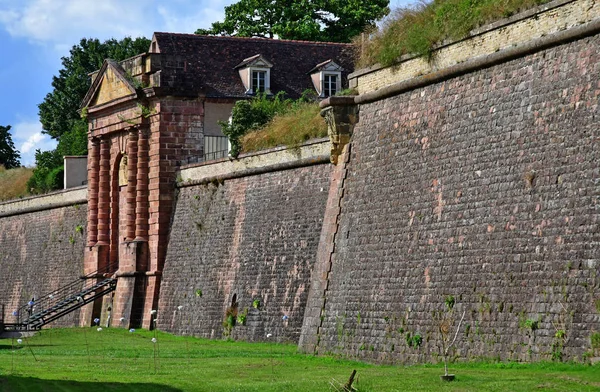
<point x="123" y="361"/>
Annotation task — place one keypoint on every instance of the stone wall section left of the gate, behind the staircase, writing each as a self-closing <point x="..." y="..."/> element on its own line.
<point x="41" y="247"/>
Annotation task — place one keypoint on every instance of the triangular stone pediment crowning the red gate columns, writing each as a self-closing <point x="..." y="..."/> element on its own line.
<point x="110" y="84"/>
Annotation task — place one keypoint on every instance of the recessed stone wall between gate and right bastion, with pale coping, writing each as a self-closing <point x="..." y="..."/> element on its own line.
<point x="243" y="240"/>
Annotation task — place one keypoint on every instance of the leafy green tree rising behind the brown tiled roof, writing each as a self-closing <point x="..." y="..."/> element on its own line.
<point x="312" y="20"/>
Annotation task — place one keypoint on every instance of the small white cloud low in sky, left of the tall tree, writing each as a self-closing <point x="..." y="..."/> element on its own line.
<point x="28" y="137"/>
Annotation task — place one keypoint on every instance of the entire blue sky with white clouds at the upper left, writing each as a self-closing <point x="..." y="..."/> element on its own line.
<point x="35" y="34"/>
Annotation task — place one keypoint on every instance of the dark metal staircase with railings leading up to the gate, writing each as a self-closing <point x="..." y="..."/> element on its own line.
<point x="54" y="305"/>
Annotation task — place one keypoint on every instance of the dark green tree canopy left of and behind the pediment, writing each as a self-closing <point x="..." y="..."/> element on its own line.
<point x="59" y="110"/>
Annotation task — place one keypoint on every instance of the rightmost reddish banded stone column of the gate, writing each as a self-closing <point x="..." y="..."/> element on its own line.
<point x="141" y="210"/>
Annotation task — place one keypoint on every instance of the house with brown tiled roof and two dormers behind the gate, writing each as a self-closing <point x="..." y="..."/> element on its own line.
<point x="222" y="70"/>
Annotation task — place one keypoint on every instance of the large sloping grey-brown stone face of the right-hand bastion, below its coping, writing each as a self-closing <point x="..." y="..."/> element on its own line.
<point x="482" y="191"/>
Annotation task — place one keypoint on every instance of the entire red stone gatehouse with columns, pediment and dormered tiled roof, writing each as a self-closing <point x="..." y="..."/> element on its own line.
<point x="151" y="113"/>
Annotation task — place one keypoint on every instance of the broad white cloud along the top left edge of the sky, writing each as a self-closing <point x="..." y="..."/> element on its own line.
<point x="63" y="23"/>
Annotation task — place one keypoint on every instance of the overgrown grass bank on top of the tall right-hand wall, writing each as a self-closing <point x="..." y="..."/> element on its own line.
<point x="417" y="29"/>
